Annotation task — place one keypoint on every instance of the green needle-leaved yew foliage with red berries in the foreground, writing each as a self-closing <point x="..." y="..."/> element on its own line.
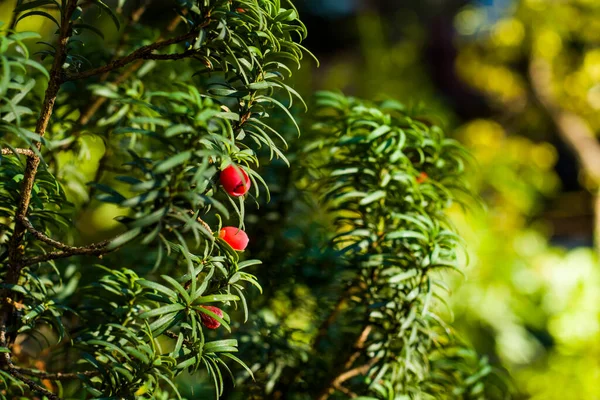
<point x="124" y="317"/>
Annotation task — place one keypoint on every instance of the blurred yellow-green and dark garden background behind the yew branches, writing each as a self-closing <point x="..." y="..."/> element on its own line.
<point x="531" y="296"/>
